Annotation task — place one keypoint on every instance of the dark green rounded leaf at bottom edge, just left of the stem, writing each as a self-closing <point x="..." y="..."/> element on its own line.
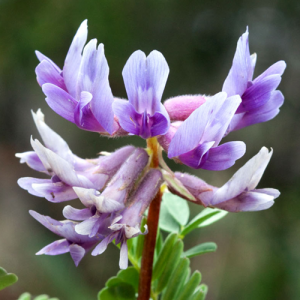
<point x="122" y="291"/>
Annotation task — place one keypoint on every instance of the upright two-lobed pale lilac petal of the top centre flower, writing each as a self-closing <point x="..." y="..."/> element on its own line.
<point x="145" y="80"/>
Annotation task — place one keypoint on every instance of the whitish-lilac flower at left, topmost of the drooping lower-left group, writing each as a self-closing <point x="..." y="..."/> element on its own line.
<point x="65" y="168"/>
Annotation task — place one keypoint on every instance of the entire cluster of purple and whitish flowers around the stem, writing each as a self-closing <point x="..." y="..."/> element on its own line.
<point x="116" y="189"/>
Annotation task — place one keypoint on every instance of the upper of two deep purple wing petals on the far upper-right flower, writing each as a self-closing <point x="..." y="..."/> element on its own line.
<point x="259" y="93"/>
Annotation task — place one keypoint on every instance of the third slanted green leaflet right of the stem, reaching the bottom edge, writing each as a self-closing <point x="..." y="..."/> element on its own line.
<point x="177" y="279"/>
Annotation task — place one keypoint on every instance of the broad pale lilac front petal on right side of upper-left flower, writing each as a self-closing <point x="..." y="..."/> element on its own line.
<point x="93" y="78"/>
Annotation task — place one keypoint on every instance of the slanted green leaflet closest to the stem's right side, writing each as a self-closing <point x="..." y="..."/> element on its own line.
<point x="163" y="256"/>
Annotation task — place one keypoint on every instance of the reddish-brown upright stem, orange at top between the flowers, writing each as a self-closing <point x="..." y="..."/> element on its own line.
<point x="150" y="238"/>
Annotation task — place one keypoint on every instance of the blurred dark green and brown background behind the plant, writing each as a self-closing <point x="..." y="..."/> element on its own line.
<point x="259" y="254"/>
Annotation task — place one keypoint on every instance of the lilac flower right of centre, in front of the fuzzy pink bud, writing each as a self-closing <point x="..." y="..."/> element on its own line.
<point x="196" y="141"/>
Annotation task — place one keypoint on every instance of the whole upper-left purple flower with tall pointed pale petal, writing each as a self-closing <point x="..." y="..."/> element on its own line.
<point x="80" y="92"/>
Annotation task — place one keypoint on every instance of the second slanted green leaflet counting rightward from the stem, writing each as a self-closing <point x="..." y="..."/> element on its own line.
<point x="171" y="264"/>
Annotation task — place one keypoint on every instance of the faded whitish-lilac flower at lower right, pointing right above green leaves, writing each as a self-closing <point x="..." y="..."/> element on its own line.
<point x="239" y="193"/>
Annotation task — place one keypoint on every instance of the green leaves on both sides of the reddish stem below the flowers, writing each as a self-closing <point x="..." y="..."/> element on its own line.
<point x="171" y="276"/>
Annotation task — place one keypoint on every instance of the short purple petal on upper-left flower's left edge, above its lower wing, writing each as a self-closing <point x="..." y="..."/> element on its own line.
<point x="47" y="73"/>
